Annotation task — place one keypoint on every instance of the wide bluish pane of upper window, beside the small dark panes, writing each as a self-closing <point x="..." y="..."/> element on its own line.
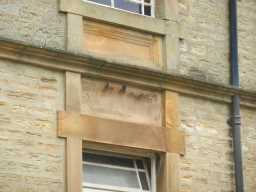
<point x="128" y="5"/>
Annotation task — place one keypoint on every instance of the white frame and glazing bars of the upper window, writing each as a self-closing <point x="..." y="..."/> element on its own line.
<point x="142" y="2"/>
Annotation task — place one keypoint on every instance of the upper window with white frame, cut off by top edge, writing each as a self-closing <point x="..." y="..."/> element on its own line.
<point x="142" y="7"/>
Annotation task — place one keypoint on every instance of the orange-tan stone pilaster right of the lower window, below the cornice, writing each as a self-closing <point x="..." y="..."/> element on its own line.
<point x="169" y="169"/>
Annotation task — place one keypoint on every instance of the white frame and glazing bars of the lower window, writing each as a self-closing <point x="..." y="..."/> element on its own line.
<point x="104" y="188"/>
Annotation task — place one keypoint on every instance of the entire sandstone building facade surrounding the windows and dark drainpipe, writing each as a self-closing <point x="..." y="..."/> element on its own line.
<point x="72" y="74"/>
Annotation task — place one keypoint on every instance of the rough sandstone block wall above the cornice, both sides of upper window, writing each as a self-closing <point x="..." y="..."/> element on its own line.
<point x="204" y="34"/>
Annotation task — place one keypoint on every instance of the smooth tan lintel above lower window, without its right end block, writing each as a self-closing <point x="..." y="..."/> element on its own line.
<point x="114" y="132"/>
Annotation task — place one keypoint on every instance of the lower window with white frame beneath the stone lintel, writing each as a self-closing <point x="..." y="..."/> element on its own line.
<point x="117" y="173"/>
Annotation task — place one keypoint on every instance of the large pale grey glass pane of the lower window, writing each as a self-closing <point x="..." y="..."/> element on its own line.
<point x="110" y="176"/>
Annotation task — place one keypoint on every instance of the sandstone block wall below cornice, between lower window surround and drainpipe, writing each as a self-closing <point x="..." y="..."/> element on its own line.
<point x="208" y="161"/>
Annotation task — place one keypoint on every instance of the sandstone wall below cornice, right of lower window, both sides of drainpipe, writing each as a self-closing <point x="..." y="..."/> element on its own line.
<point x="208" y="161"/>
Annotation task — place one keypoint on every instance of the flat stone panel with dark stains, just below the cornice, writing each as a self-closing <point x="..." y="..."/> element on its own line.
<point x="114" y="101"/>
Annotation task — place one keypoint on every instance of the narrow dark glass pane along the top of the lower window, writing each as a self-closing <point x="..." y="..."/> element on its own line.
<point x="119" y="161"/>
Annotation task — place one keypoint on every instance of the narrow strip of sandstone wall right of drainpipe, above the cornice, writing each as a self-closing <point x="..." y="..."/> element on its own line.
<point x="247" y="43"/>
